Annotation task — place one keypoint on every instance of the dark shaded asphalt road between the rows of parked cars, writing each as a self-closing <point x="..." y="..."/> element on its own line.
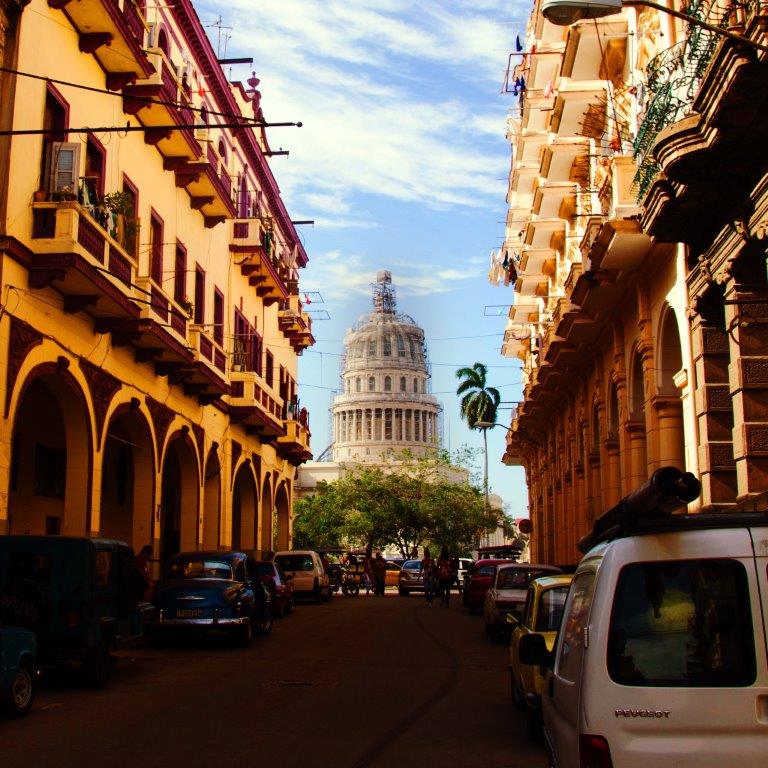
<point x="355" y="683"/>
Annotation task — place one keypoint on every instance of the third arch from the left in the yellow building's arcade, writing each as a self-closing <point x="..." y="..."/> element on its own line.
<point x="179" y="496"/>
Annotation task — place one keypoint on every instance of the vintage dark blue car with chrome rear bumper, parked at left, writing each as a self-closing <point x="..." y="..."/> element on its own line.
<point x="212" y="591"/>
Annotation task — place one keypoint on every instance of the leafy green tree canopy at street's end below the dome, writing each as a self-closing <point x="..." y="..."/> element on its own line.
<point x="405" y="504"/>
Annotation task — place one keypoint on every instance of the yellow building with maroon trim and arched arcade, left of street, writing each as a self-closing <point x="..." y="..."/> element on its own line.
<point x="150" y="320"/>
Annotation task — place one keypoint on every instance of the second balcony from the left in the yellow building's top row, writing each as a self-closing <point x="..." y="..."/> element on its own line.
<point x="163" y="85"/>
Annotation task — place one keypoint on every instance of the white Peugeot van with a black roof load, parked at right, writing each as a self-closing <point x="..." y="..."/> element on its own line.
<point x="661" y="656"/>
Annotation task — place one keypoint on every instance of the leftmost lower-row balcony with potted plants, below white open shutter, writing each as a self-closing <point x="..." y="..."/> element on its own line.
<point x="74" y="254"/>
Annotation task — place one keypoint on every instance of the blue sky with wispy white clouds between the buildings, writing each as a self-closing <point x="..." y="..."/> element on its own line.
<point x="402" y="164"/>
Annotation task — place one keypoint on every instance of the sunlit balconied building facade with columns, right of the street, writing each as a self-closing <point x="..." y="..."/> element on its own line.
<point x="636" y="247"/>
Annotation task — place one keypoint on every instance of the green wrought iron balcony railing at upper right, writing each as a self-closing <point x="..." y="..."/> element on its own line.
<point x="672" y="80"/>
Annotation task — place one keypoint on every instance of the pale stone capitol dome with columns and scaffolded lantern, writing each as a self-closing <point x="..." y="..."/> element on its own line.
<point x="386" y="405"/>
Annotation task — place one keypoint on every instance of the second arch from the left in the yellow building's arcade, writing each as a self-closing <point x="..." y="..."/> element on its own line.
<point x="128" y="470"/>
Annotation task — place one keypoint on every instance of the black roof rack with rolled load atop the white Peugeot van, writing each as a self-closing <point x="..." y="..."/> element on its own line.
<point x="650" y="509"/>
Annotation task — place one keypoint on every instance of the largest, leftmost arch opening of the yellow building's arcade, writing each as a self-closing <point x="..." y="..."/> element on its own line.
<point x="50" y="487"/>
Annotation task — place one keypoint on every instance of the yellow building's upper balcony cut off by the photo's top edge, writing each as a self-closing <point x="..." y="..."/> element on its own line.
<point x="113" y="31"/>
